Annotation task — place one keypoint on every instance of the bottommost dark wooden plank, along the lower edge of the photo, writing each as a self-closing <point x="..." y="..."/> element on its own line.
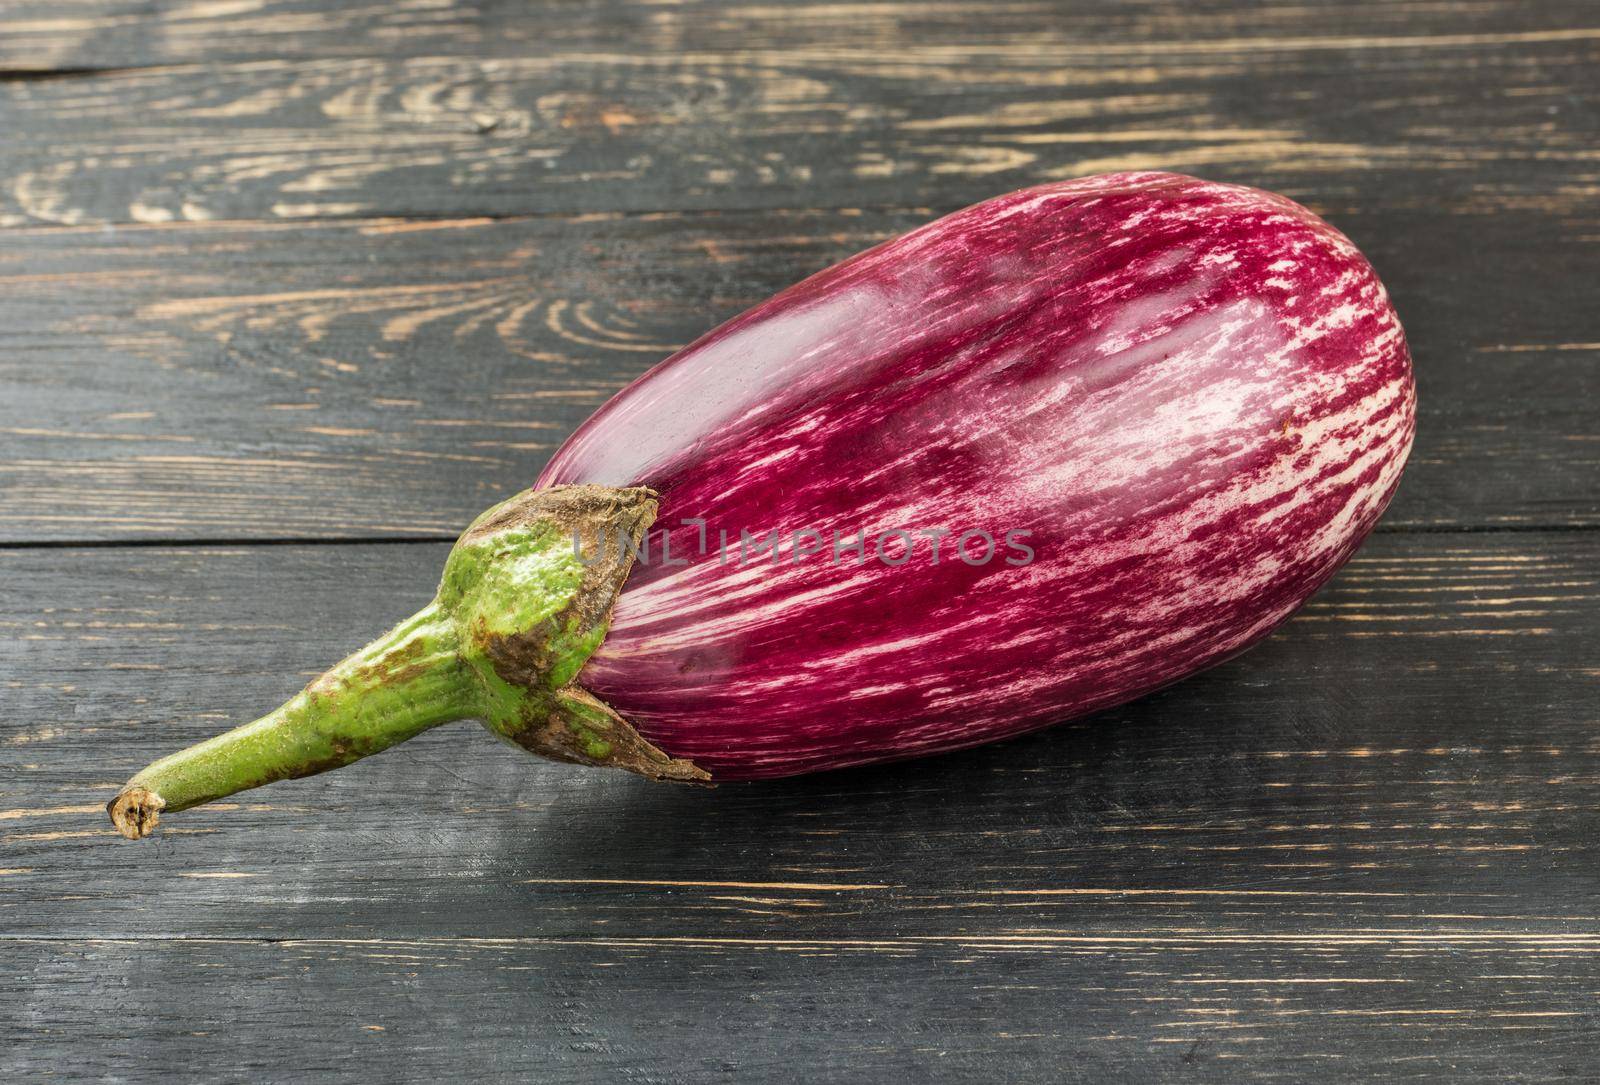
<point x="1513" y="1006"/>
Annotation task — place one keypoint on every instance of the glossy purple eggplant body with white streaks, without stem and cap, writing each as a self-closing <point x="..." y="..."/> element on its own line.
<point x="1194" y="398"/>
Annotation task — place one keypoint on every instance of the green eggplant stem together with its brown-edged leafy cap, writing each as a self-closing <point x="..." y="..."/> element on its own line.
<point x="516" y="617"/>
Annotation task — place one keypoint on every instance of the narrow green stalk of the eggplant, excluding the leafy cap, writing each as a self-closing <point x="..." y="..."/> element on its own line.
<point x="391" y="691"/>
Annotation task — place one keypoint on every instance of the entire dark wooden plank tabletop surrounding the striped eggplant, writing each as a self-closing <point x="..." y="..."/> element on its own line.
<point x="292" y="289"/>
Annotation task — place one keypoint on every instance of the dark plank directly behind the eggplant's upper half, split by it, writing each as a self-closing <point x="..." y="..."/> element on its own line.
<point x="394" y="378"/>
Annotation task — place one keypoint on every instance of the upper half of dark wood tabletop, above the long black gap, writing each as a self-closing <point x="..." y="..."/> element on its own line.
<point x="382" y="378"/>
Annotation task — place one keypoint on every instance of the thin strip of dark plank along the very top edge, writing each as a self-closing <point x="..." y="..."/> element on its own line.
<point x="47" y="36"/>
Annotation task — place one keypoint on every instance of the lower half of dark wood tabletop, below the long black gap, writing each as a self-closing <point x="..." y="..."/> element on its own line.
<point x="1361" y="849"/>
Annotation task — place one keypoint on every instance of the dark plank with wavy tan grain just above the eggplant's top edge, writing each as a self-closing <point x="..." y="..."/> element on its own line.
<point x="777" y="110"/>
